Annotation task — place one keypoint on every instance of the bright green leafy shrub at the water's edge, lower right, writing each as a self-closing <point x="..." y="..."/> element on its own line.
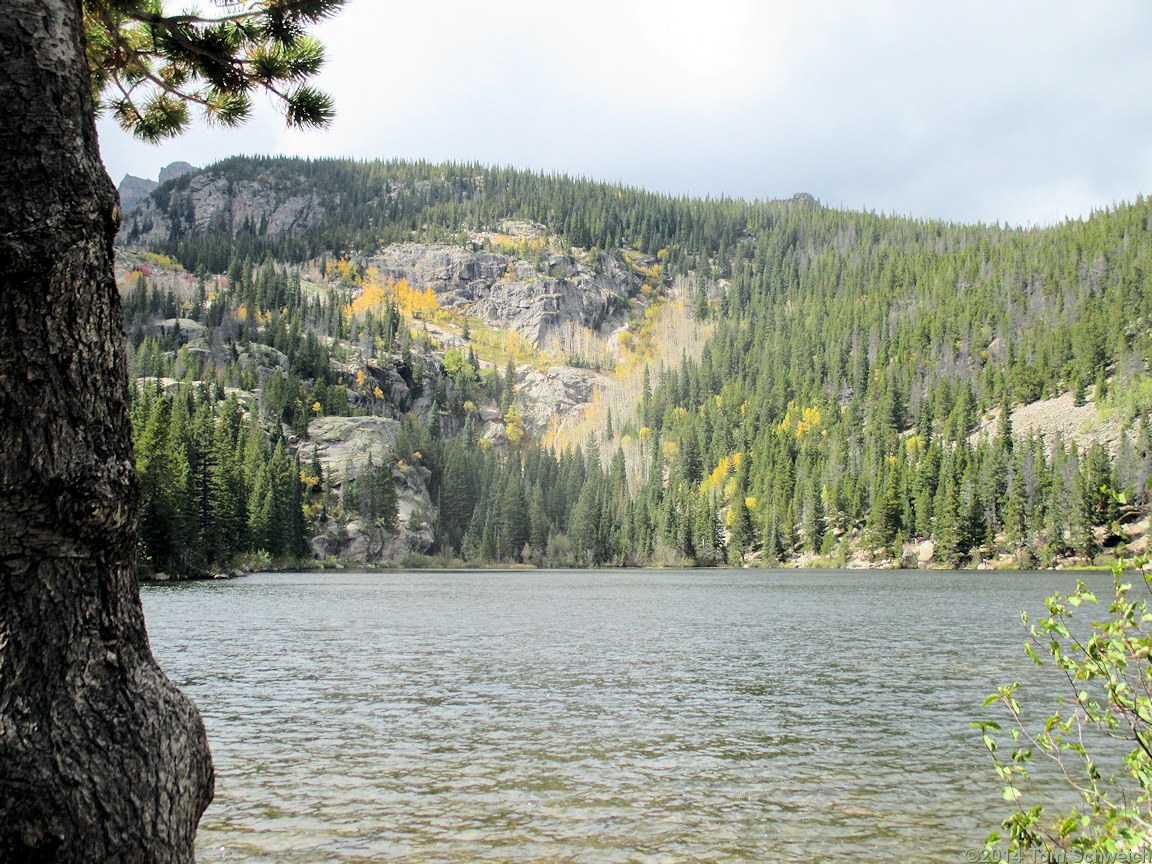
<point x="1098" y="738"/>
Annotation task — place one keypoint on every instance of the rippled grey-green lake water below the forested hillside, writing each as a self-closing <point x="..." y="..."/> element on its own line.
<point x="596" y="716"/>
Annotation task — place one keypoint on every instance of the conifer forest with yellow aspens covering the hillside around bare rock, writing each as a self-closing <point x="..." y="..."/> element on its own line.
<point x="857" y="395"/>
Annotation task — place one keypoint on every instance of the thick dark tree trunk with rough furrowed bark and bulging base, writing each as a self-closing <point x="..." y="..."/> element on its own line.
<point x="102" y="759"/>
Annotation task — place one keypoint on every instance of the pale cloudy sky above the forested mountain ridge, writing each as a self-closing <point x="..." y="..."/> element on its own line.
<point x="966" y="110"/>
